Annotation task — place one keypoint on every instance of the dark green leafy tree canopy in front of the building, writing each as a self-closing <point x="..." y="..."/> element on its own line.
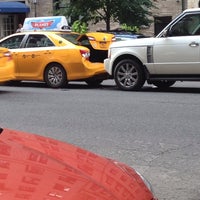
<point x="129" y="12"/>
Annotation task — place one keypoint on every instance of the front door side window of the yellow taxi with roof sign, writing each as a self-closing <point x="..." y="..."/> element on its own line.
<point x="13" y="42"/>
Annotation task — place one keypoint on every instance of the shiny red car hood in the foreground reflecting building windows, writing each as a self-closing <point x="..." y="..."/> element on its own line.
<point x="33" y="167"/>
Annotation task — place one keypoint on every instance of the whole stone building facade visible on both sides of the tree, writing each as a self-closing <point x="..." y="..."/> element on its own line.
<point x="166" y="10"/>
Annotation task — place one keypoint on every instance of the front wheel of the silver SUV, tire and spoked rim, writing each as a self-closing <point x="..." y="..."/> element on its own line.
<point x="129" y="75"/>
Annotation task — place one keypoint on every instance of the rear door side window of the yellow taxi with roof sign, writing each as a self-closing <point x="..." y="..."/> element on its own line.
<point x="38" y="41"/>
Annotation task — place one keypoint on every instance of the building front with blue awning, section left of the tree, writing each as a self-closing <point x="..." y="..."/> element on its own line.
<point x="11" y="17"/>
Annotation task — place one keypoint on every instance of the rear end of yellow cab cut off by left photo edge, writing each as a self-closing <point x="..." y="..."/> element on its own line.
<point x="6" y="65"/>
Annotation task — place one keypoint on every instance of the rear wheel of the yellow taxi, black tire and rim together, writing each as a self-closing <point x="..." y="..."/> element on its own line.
<point x="55" y="76"/>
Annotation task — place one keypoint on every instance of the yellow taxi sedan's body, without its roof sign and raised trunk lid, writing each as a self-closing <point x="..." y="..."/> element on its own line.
<point x="49" y="57"/>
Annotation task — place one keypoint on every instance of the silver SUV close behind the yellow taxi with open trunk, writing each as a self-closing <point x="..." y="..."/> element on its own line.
<point x="173" y="55"/>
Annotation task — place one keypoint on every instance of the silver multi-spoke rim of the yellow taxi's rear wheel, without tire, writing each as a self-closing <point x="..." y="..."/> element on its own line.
<point x="55" y="75"/>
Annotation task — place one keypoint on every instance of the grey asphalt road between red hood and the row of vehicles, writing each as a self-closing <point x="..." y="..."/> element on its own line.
<point x="155" y="132"/>
